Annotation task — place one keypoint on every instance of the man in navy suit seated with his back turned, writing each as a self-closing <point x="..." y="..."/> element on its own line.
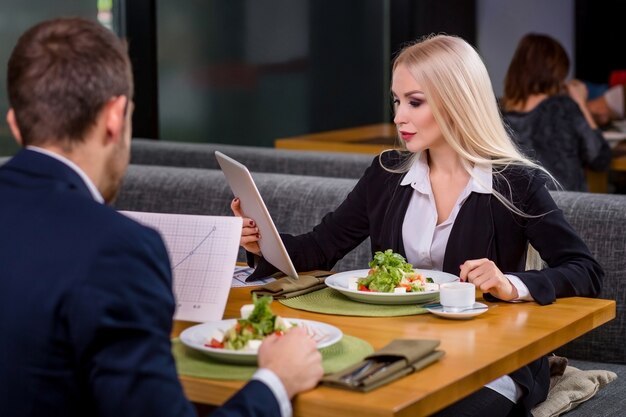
<point x="86" y="300"/>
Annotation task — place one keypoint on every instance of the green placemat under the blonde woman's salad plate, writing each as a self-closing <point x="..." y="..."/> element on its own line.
<point x="330" y="301"/>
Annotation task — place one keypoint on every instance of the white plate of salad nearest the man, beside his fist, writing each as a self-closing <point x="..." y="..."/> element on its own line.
<point x="196" y="336"/>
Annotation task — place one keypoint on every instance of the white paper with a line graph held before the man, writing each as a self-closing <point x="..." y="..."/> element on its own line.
<point x="203" y="251"/>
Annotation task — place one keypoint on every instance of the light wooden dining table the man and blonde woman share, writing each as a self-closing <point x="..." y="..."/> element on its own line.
<point x="478" y="351"/>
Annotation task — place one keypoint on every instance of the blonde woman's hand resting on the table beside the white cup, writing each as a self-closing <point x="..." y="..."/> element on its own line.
<point x="484" y="274"/>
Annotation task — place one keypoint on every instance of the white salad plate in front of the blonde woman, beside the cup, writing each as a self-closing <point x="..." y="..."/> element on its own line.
<point x="341" y="283"/>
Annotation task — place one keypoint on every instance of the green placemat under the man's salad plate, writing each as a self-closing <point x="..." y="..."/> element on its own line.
<point x="348" y="351"/>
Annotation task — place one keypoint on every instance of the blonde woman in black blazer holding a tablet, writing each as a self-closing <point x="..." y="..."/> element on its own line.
<point x="461" y="199"/>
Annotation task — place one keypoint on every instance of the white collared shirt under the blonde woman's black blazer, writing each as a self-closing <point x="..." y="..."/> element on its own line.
<point x="425" y="242"/>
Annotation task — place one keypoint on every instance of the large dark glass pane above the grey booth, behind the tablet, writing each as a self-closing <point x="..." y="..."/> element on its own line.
<point x="248" y="72"/>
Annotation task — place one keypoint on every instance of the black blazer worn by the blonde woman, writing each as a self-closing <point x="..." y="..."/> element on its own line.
<point x="484" y="228"/>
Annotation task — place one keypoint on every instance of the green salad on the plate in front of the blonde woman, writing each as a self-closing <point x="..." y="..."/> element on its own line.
<point x="390" y="271"/>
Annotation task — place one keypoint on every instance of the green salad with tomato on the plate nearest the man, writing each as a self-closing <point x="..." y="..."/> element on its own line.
<point x="249" y="332"/>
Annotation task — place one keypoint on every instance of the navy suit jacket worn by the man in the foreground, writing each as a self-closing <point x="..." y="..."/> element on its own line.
<point x="86" y="305"/>
